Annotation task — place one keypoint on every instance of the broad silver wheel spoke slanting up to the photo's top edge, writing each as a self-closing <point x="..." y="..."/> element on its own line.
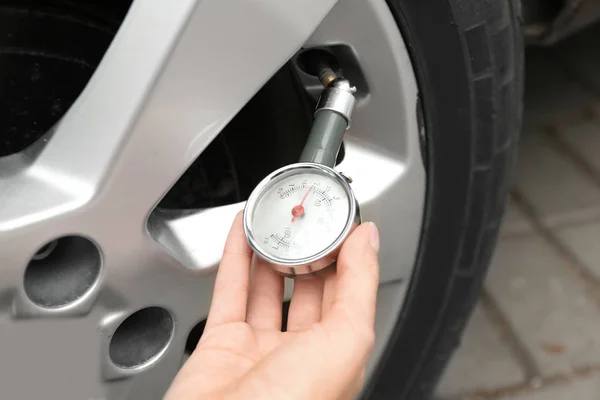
<point x="174" y="76"/>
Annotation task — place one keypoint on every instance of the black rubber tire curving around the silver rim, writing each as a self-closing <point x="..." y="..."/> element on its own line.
<point x="468" y="60"/>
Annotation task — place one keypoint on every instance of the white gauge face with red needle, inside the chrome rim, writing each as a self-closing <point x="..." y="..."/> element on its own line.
<point x="300" y="214"/>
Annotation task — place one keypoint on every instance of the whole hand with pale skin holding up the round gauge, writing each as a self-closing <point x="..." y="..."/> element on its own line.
<point x="330" y="331"/>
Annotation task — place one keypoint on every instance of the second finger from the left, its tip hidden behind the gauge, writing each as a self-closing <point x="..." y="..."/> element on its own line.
<point x="265" y="301"/>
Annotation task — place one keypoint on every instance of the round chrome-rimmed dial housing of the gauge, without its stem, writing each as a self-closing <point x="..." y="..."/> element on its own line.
<point x="298" y="217"/>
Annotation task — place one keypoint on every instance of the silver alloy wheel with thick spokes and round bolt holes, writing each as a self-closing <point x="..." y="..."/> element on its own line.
<point x="107" y="313"/>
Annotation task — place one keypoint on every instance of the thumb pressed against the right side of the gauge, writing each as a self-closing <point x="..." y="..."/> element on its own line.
<point x="358" y="277"/>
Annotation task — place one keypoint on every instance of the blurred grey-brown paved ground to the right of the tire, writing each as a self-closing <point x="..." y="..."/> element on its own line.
<point x="535" y="334"/>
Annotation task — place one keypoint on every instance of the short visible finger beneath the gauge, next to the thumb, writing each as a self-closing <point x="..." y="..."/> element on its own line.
<point x="305" y="307"/>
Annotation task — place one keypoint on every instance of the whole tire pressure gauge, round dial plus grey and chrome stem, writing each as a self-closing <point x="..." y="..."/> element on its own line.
<point x="297" y="218"/>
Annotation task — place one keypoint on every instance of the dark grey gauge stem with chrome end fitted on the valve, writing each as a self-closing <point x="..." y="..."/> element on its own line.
<point x="332" y="118"/>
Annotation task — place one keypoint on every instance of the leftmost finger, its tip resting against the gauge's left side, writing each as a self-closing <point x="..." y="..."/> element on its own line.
<point x="231" y="285"/>
